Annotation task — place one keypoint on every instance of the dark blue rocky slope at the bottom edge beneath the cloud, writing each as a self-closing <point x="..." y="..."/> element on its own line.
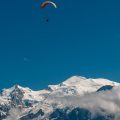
<point x="78" y="114"/>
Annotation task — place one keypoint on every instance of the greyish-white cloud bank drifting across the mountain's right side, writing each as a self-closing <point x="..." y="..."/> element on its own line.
<point x="108" y="101"/>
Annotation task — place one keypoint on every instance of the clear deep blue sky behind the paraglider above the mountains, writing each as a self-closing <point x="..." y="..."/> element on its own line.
<point x="82" y="38"/>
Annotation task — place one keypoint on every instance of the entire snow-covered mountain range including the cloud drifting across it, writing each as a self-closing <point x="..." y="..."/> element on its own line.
<point x="77" y="98"/>
